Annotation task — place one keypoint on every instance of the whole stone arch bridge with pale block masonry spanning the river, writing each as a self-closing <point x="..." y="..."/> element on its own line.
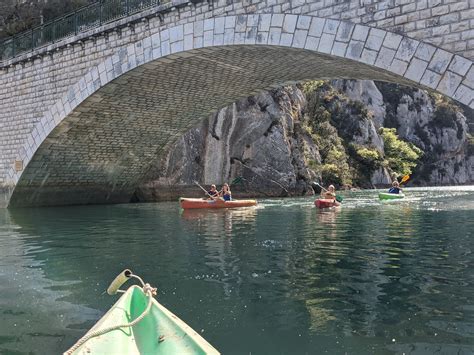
<point x="82" y="119"/>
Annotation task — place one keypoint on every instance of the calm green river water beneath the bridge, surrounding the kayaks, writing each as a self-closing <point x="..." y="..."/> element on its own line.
<point x="282" y="278"/>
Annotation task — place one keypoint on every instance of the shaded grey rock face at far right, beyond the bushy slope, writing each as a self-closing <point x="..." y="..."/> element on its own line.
<point x="440" y="129"/>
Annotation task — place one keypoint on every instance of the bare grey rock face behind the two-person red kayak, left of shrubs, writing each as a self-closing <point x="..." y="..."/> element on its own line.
<point x="258" y="139"/>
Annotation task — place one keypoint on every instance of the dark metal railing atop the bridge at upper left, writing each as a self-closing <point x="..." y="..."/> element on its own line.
<point x="82" y="20"/>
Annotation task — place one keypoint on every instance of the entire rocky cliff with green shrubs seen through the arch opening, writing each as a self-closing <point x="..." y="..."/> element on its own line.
<point x="279" y="142"/>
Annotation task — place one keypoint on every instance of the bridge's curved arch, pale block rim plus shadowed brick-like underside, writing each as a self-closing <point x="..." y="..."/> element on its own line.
<point x="96" y="143"/>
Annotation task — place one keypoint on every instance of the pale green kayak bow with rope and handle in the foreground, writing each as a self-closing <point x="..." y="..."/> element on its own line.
<point x="158" y="332"/>
